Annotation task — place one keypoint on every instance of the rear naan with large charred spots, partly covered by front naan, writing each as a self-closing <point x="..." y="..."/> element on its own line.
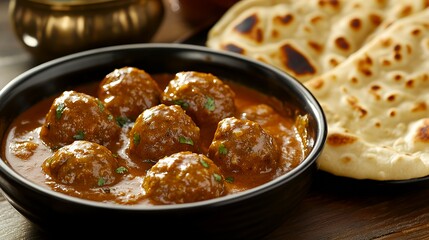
<point x="305" y="38"/>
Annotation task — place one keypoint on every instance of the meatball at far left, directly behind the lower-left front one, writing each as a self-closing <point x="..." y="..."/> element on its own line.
<point x="78" y="116"/>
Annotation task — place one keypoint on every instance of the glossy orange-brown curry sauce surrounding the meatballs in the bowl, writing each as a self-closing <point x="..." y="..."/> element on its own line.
<point x="25" y="152"/>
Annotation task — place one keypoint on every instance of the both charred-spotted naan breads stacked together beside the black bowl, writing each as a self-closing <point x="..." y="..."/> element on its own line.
<point x="366" y="62"/>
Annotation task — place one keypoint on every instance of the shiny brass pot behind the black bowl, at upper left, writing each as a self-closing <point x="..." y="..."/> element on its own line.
<point x="53" y="28"/>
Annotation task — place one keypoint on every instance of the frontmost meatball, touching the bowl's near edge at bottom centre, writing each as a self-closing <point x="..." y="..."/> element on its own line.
<point x="183" y="177"/>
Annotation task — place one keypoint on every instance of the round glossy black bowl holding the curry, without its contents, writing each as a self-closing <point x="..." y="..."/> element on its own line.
<point x="247" y="215"/>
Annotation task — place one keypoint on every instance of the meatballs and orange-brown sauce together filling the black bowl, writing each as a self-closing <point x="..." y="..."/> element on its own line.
<point x="153" y="139"/>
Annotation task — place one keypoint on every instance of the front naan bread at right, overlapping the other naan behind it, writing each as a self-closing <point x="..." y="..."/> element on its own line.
<point x="377" y="106"/>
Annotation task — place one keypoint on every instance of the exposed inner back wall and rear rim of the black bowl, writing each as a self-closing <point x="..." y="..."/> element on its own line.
<point x="64" y="73"/>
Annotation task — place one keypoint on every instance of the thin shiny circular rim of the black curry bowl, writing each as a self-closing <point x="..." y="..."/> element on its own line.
<point x="308" y="161"/>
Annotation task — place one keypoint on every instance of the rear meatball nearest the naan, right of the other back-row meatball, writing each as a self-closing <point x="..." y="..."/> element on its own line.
<point x="204" y="97"/>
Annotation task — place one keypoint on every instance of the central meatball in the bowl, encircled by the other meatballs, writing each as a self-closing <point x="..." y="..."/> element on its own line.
<point x="161" y="131"/>
